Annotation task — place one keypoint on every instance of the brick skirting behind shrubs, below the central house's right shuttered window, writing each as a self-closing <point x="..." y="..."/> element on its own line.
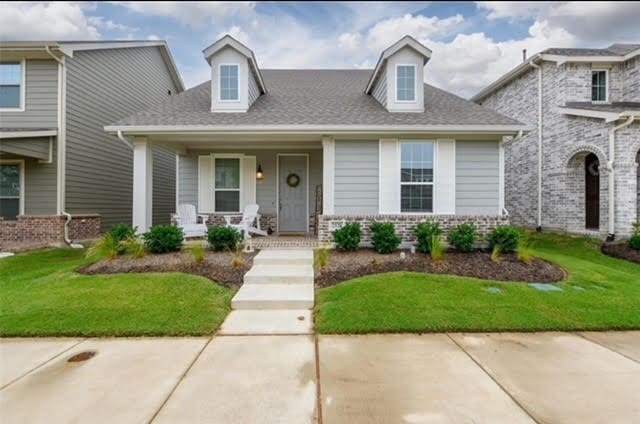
<point x="405" y="223"/>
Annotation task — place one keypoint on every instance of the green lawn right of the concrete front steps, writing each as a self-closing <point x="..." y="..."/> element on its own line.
<point x="600" y="293"/>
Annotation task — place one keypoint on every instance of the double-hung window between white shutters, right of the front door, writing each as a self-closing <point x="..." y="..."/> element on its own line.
<point x="416" y="176"/>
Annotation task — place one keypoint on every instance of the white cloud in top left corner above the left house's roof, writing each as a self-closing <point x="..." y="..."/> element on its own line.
<point x="50" y="21"/>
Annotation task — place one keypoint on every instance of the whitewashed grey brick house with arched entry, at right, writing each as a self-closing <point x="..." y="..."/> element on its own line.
<point x="587" y="135"/>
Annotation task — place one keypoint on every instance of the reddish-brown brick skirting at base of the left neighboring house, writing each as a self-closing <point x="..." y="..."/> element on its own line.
<point x="49" y="228"/>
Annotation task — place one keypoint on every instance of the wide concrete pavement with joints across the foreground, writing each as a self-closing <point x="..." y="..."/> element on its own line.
<point x="443" y="378"/>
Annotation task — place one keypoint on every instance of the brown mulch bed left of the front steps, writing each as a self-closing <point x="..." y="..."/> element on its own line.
<point x="216" y="266"/>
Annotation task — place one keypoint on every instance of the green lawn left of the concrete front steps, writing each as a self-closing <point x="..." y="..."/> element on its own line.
<point x="41" y="295"/>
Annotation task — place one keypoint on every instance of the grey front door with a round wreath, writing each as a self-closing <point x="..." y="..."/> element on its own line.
<point x="292" y="182"/>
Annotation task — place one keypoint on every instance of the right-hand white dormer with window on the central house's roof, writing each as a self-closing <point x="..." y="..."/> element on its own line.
<point x="398" y="78"/>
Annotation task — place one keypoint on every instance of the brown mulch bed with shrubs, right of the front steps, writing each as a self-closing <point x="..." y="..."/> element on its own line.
<point x="344" y="266"/>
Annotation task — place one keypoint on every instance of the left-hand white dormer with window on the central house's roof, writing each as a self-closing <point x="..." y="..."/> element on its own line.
<point x="236" y="81"/>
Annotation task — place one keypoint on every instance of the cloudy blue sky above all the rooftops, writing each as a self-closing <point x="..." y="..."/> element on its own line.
<point x="473" y="43"/>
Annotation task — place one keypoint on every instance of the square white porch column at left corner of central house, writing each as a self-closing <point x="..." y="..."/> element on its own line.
<point x="142" y="183"/>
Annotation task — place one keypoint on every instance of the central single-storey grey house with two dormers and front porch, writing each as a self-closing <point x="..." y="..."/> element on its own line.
<point x="317" y="148"/>
